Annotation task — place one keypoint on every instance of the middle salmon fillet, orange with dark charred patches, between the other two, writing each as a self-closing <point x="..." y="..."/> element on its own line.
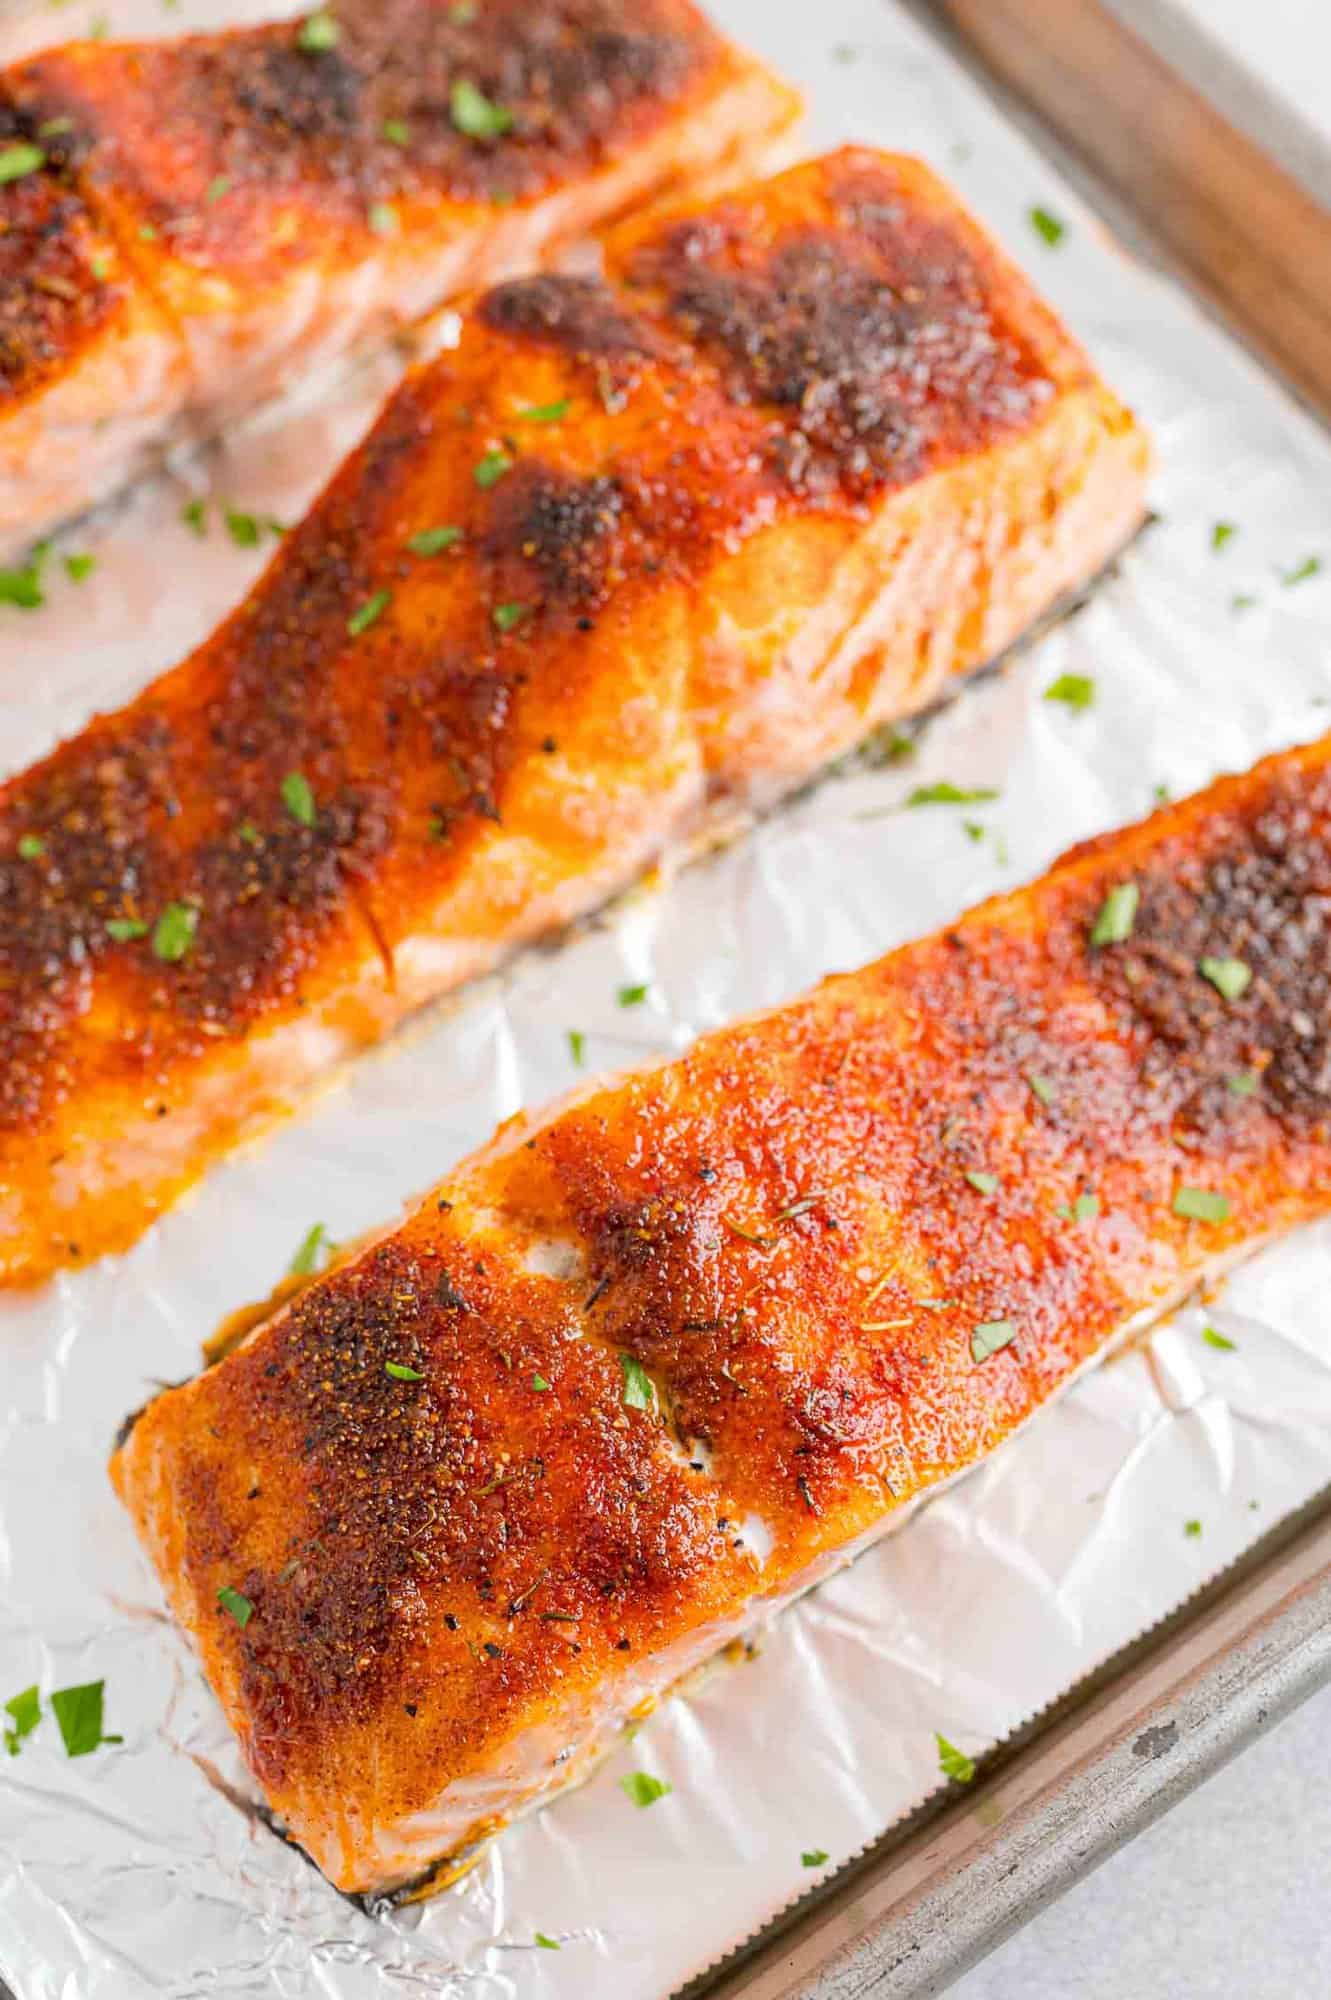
<point x="633" y="553"/>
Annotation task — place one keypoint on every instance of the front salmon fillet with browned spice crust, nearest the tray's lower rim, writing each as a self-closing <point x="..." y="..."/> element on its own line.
<point x="661" y="1359"/>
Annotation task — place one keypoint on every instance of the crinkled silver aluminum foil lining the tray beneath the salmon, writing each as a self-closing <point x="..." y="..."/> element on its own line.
<point x="137" y="1871"/>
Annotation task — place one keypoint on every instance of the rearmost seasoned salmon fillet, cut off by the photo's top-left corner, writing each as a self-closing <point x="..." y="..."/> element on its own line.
<point x="189" y="223"/>
